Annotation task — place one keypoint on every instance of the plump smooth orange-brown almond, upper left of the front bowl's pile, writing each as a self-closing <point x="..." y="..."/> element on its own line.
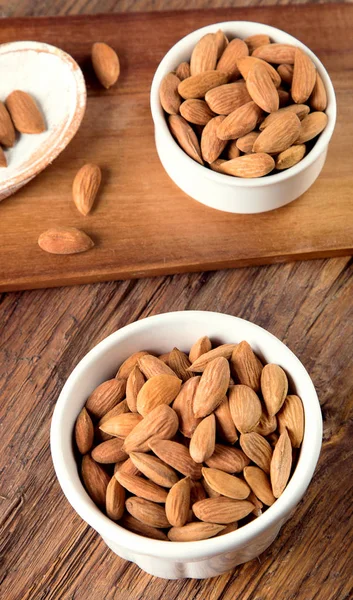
<point x="159" y="389"/>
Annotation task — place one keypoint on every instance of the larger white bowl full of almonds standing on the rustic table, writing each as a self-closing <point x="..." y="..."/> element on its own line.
<point x="186" y="440"/>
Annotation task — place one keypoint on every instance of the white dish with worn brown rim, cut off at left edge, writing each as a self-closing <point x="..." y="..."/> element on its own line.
<point x="56" y="82"/>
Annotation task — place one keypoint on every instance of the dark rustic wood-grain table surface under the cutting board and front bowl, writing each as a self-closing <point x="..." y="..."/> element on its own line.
<point x="48" y="552"/>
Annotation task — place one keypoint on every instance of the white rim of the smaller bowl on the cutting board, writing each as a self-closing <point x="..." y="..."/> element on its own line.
<point x="321" y="143"/>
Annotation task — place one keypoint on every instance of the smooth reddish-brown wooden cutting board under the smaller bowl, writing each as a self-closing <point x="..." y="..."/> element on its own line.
<point x="143" y="224"/>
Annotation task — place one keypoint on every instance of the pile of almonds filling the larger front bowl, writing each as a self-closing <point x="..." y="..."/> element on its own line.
<point x="187" y="447"/>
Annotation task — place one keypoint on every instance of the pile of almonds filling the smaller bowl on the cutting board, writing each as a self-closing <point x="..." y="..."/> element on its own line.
<point x="245" y="107"/>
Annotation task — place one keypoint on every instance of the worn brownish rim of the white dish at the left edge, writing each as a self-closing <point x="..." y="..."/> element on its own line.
<point x="74" y="118"/>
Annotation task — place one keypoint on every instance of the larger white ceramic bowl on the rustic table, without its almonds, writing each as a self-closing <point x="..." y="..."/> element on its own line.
<point x="174" y="560"/>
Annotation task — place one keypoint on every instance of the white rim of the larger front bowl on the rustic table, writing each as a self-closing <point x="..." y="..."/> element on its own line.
<point x="61" y="446"/>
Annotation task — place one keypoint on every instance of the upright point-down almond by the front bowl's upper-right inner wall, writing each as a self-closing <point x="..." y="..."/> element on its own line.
<point x="274" y="387"/>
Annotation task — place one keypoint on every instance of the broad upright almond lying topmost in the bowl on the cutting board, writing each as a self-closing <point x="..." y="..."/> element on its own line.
<point x="261" y="88"/>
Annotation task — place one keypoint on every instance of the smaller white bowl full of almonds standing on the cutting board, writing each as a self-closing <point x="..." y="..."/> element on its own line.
<point x="243" y="115"/>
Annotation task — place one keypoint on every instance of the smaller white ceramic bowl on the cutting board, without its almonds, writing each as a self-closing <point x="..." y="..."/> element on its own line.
<point x="224" y="192"/>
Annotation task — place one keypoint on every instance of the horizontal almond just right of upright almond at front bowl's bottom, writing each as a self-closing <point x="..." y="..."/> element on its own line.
<point x="222" y="510"/>
